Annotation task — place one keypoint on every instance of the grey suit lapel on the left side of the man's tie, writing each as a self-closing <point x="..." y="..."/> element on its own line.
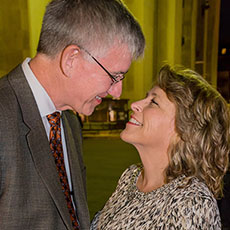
<point x="38" y="142"/>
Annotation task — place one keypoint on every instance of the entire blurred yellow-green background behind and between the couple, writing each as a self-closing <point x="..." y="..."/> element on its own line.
<point x="193" y="33"/>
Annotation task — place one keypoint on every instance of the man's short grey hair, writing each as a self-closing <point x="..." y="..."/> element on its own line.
<point x="91" y="24"/>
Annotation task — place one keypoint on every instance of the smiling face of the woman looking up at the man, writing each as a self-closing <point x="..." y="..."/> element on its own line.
<point x="152" y="122"/>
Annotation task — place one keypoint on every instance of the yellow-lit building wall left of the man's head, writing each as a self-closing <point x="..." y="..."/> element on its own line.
<point x="20" y="24"/>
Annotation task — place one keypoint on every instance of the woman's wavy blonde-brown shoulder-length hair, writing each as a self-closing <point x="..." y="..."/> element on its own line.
<point x="201" y="148"/>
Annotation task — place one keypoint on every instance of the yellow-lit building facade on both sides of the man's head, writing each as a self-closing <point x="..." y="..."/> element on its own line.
<point x="177" y="32"/>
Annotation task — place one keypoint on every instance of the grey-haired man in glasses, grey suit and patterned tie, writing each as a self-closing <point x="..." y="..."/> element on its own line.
<point x="85" y="48"/>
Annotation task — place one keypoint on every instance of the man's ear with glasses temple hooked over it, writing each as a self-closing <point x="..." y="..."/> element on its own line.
<point x="68" y="56"/>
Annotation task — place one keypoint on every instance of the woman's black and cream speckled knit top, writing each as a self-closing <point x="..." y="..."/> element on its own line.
<point x="171" y="207"/>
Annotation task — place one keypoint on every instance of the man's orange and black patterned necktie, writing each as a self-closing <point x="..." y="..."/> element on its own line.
<point x="57" y="151"/>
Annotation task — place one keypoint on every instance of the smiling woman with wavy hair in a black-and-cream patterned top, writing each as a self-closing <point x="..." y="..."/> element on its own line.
<point x="181" y="132"/>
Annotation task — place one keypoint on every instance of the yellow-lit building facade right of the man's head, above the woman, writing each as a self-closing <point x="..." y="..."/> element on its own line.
<point x="177" y="32"/>
